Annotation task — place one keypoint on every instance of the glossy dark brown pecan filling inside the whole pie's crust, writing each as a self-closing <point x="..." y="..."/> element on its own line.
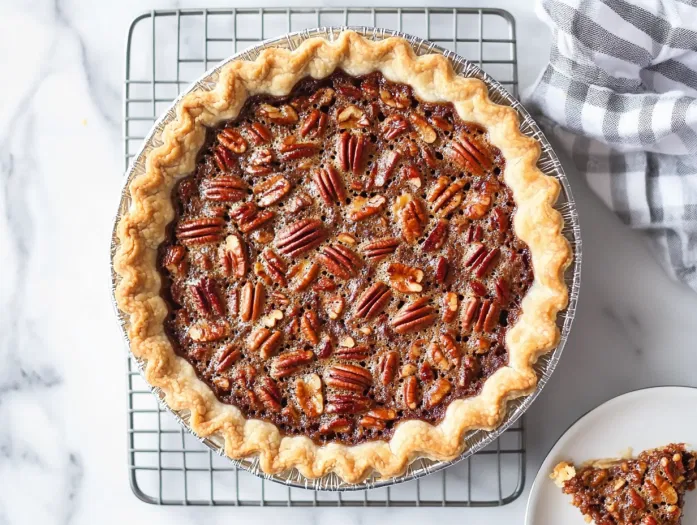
<point x="343" y="259"/>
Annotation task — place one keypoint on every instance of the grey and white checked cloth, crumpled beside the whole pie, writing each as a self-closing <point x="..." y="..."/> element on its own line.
<point x="620" y="95"/>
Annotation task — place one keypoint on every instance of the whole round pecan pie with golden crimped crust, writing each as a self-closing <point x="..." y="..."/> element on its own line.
<point x="342" y="258"/>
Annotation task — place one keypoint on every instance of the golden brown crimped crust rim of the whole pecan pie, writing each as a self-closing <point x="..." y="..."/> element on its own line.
<point x="275" y="72"/>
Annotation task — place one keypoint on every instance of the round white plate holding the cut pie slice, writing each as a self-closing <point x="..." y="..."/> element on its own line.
<point x="639" y="420"/>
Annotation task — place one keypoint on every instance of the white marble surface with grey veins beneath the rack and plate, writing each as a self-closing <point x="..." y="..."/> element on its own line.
<point x="62" y="402"/>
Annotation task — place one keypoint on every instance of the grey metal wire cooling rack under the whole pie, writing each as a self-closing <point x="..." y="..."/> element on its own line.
<point x="166" y="51"/>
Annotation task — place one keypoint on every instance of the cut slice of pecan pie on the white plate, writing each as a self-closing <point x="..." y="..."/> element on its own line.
<point x="648" y="490"/>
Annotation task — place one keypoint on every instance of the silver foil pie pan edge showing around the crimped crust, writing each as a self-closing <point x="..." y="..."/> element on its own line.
<point x="548" y="163"/>
